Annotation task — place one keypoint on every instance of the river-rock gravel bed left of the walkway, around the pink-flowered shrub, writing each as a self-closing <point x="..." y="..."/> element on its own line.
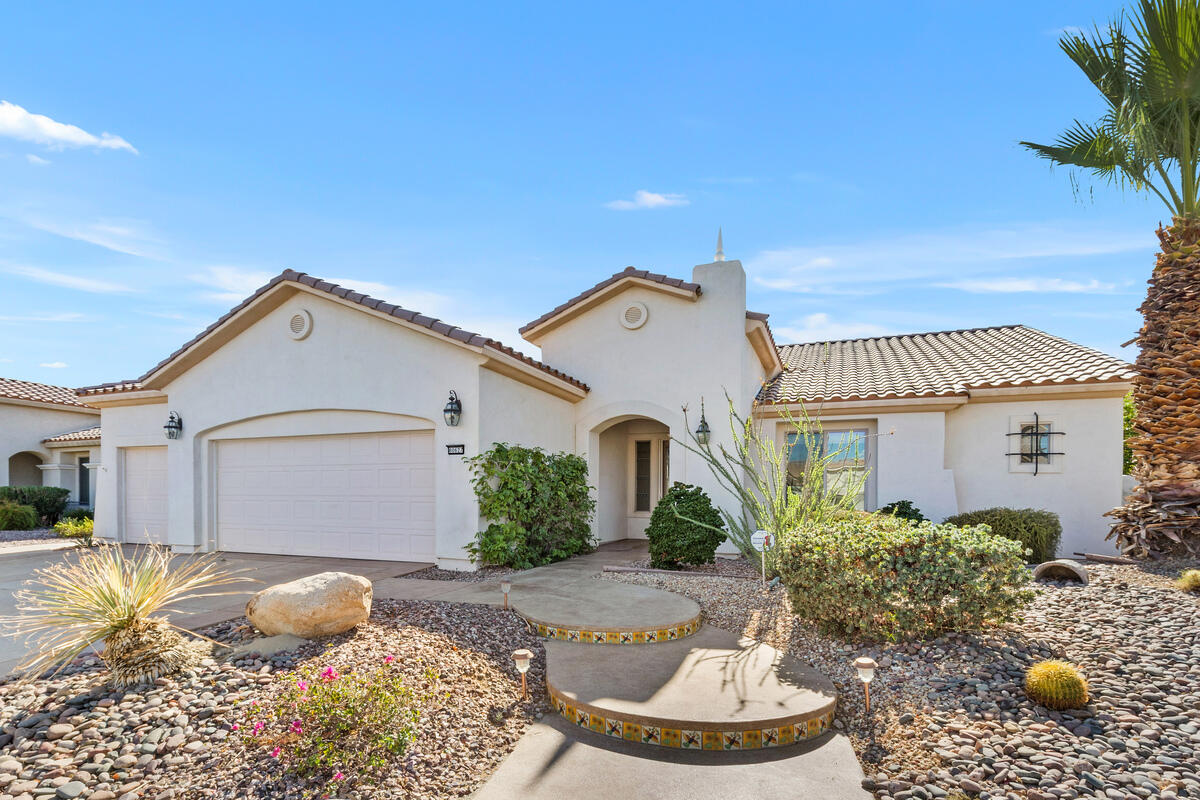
<point x="73" y="737"/>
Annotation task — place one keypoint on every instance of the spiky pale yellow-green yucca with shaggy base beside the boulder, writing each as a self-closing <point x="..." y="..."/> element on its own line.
<point x="105" y="597"/>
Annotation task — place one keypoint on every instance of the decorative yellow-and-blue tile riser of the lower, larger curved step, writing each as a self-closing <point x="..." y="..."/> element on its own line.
<point x="687" y="739"/>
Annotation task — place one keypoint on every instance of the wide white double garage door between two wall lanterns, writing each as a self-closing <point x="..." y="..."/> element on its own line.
<point x="367" y="496"/>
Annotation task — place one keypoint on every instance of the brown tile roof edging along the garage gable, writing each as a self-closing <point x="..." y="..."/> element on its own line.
<point x="437" y="326"/>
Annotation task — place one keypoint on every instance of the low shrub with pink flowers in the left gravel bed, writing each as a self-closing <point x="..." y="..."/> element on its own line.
<point x="351" y="727"/>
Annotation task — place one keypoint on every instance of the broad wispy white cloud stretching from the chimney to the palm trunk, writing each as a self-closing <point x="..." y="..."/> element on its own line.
<point x="933" y="256"/>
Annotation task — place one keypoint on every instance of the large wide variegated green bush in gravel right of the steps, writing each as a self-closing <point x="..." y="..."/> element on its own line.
<point x="885" y="579"/>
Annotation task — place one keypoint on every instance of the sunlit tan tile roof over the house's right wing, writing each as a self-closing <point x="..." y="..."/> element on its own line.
<point x="935" y="365"/>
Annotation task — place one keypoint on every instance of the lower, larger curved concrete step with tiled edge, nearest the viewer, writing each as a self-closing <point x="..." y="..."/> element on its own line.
<point x="711" y="691"/>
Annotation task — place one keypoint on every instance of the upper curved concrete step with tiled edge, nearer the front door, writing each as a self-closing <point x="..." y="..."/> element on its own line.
<point x="603" y="612"/>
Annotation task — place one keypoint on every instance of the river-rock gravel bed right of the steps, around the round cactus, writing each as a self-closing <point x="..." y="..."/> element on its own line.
<point x="951" y="715"/>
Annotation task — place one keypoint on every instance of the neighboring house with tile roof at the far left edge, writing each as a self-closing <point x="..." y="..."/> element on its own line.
<point x="49" y="436"/>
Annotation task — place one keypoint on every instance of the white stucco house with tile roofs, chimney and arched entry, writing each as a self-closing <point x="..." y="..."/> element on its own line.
<point x="313" y="417"/>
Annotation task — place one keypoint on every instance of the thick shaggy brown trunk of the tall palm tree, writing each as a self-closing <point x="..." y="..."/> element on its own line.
<point x="1163" y="514"/>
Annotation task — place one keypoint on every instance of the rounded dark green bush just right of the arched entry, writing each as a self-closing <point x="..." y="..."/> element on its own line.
<point x="675" y="538"/>
